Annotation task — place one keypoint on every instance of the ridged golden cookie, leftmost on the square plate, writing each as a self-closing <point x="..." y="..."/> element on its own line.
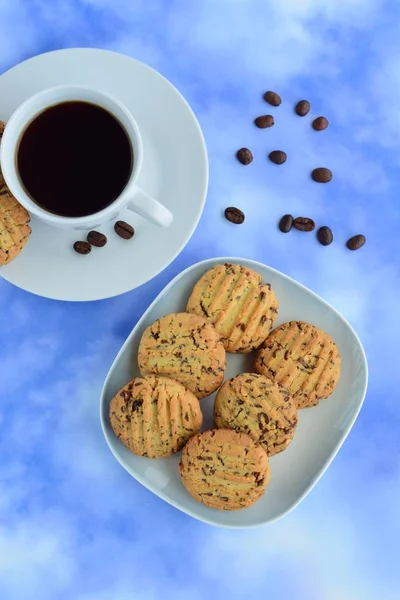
<point x="155" y="416"/>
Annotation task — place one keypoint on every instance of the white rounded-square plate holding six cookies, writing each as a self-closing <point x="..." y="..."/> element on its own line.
<point x="321" y="430"/>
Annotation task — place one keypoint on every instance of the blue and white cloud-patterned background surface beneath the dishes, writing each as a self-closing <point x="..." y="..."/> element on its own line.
<point x="73" y="524"/>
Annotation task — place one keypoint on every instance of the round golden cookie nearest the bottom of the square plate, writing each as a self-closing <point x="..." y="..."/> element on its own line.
<point x="224" y="469"/>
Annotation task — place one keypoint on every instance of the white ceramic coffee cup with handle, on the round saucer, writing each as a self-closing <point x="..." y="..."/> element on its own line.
<point x="132" y="196"/>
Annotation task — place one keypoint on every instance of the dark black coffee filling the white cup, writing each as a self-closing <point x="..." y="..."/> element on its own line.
<point x="74" y="159"/>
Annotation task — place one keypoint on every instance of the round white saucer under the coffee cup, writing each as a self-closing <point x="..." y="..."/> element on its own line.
<point x="175" y="171"/>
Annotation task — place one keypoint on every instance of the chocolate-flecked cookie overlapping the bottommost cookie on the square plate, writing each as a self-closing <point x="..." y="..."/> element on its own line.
<point x="254" y="404"/>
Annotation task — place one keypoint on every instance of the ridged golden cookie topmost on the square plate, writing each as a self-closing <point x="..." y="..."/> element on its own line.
<point x="241" y="308"/>
